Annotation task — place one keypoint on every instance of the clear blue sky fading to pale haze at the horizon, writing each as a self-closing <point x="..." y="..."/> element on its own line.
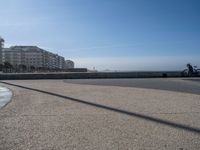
<point x="108" y="34"/>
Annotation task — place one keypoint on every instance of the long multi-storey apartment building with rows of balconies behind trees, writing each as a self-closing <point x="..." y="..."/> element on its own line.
<point x="32" y="56"/>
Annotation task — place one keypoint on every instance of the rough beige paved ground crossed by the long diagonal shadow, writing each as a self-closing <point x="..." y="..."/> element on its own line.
<point x="52" y="114"/>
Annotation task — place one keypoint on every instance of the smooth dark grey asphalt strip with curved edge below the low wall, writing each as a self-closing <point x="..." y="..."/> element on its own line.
<point x="177" y="84"/>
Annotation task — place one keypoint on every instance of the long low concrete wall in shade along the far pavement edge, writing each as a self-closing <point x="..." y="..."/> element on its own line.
<point x="21" y="76"/>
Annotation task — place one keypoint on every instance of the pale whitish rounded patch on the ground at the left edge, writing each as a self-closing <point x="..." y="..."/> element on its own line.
<point x="5" y="96"/>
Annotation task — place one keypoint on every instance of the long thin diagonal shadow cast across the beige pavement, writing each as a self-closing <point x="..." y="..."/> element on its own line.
<point x="132" y="114"/>
